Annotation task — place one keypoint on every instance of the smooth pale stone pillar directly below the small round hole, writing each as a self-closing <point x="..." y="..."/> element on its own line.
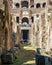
<point x="39" y="33"/>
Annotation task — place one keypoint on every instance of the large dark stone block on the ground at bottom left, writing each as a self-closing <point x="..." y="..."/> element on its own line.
<point x="7" y="58"/>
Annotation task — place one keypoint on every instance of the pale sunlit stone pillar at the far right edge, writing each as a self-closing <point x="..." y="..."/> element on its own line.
<point x="50" y="29"/>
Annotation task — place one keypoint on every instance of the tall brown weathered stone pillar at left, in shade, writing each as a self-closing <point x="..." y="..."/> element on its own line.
<point x="8" y="26"/>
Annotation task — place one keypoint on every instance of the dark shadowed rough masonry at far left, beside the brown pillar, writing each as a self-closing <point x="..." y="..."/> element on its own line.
<point x="2" y="32"/>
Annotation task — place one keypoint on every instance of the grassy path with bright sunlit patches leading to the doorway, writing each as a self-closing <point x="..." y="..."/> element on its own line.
<point x="25" y="56"/>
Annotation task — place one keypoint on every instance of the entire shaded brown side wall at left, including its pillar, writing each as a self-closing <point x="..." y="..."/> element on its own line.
<point x="5" y="27"/>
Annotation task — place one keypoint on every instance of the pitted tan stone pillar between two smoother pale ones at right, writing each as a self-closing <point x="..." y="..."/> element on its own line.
<point x="43" y="29"/>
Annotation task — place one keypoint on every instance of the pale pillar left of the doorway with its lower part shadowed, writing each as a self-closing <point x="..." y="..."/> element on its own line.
<point x="14" y="29"/>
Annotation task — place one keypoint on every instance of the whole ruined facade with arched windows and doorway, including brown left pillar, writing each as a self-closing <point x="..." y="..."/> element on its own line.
<point x="28" y="21"/>
